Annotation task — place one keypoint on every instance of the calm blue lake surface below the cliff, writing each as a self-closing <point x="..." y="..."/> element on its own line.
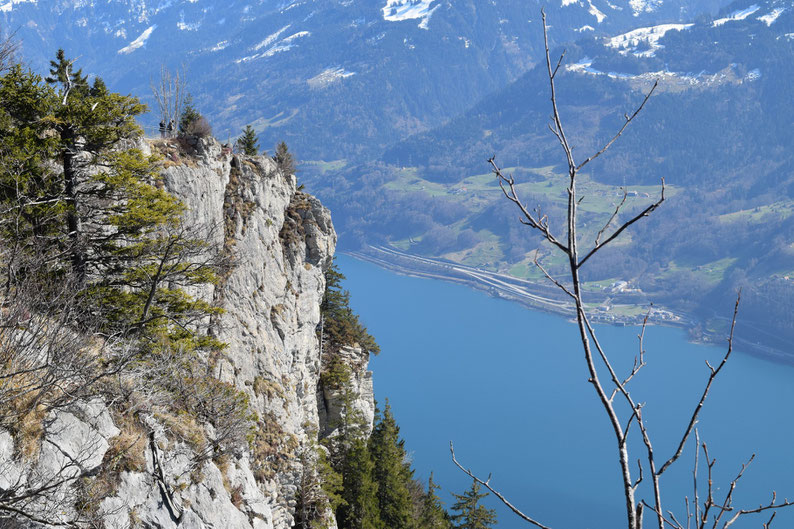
<point x="509" y="387"/>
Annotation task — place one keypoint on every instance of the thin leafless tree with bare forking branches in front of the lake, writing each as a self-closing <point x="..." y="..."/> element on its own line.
<point x="626" y="414"/>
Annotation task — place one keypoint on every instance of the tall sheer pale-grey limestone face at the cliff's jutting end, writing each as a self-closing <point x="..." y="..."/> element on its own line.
<point x="281" y="241"/>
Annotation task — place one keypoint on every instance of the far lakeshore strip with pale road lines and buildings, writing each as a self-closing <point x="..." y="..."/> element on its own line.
<point x="544" y="297"/>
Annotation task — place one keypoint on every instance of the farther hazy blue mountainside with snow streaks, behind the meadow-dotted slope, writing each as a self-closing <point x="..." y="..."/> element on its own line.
<point x="335" y="78"/>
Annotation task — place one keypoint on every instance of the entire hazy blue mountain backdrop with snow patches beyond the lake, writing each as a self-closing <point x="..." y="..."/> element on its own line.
<point x="395" y="105"/>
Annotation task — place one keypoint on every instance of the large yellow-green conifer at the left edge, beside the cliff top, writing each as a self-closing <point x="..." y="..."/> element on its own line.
<point x="97" y="215"/>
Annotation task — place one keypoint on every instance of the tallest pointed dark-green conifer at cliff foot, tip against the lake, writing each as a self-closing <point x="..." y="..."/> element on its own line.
<point x="391" y="472"/>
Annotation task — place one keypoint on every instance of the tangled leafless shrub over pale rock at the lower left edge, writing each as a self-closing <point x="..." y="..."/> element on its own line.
<point x="49" y="370"/>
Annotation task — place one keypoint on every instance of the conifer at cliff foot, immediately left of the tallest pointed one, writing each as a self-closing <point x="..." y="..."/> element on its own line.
<point x="360" y="491"/>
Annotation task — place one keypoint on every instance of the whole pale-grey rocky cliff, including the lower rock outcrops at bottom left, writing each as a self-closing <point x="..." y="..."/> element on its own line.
<point x="278" y="241"/>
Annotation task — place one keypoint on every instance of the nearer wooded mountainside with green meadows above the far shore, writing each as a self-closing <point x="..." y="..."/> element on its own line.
<point x="717" y="129"/>
